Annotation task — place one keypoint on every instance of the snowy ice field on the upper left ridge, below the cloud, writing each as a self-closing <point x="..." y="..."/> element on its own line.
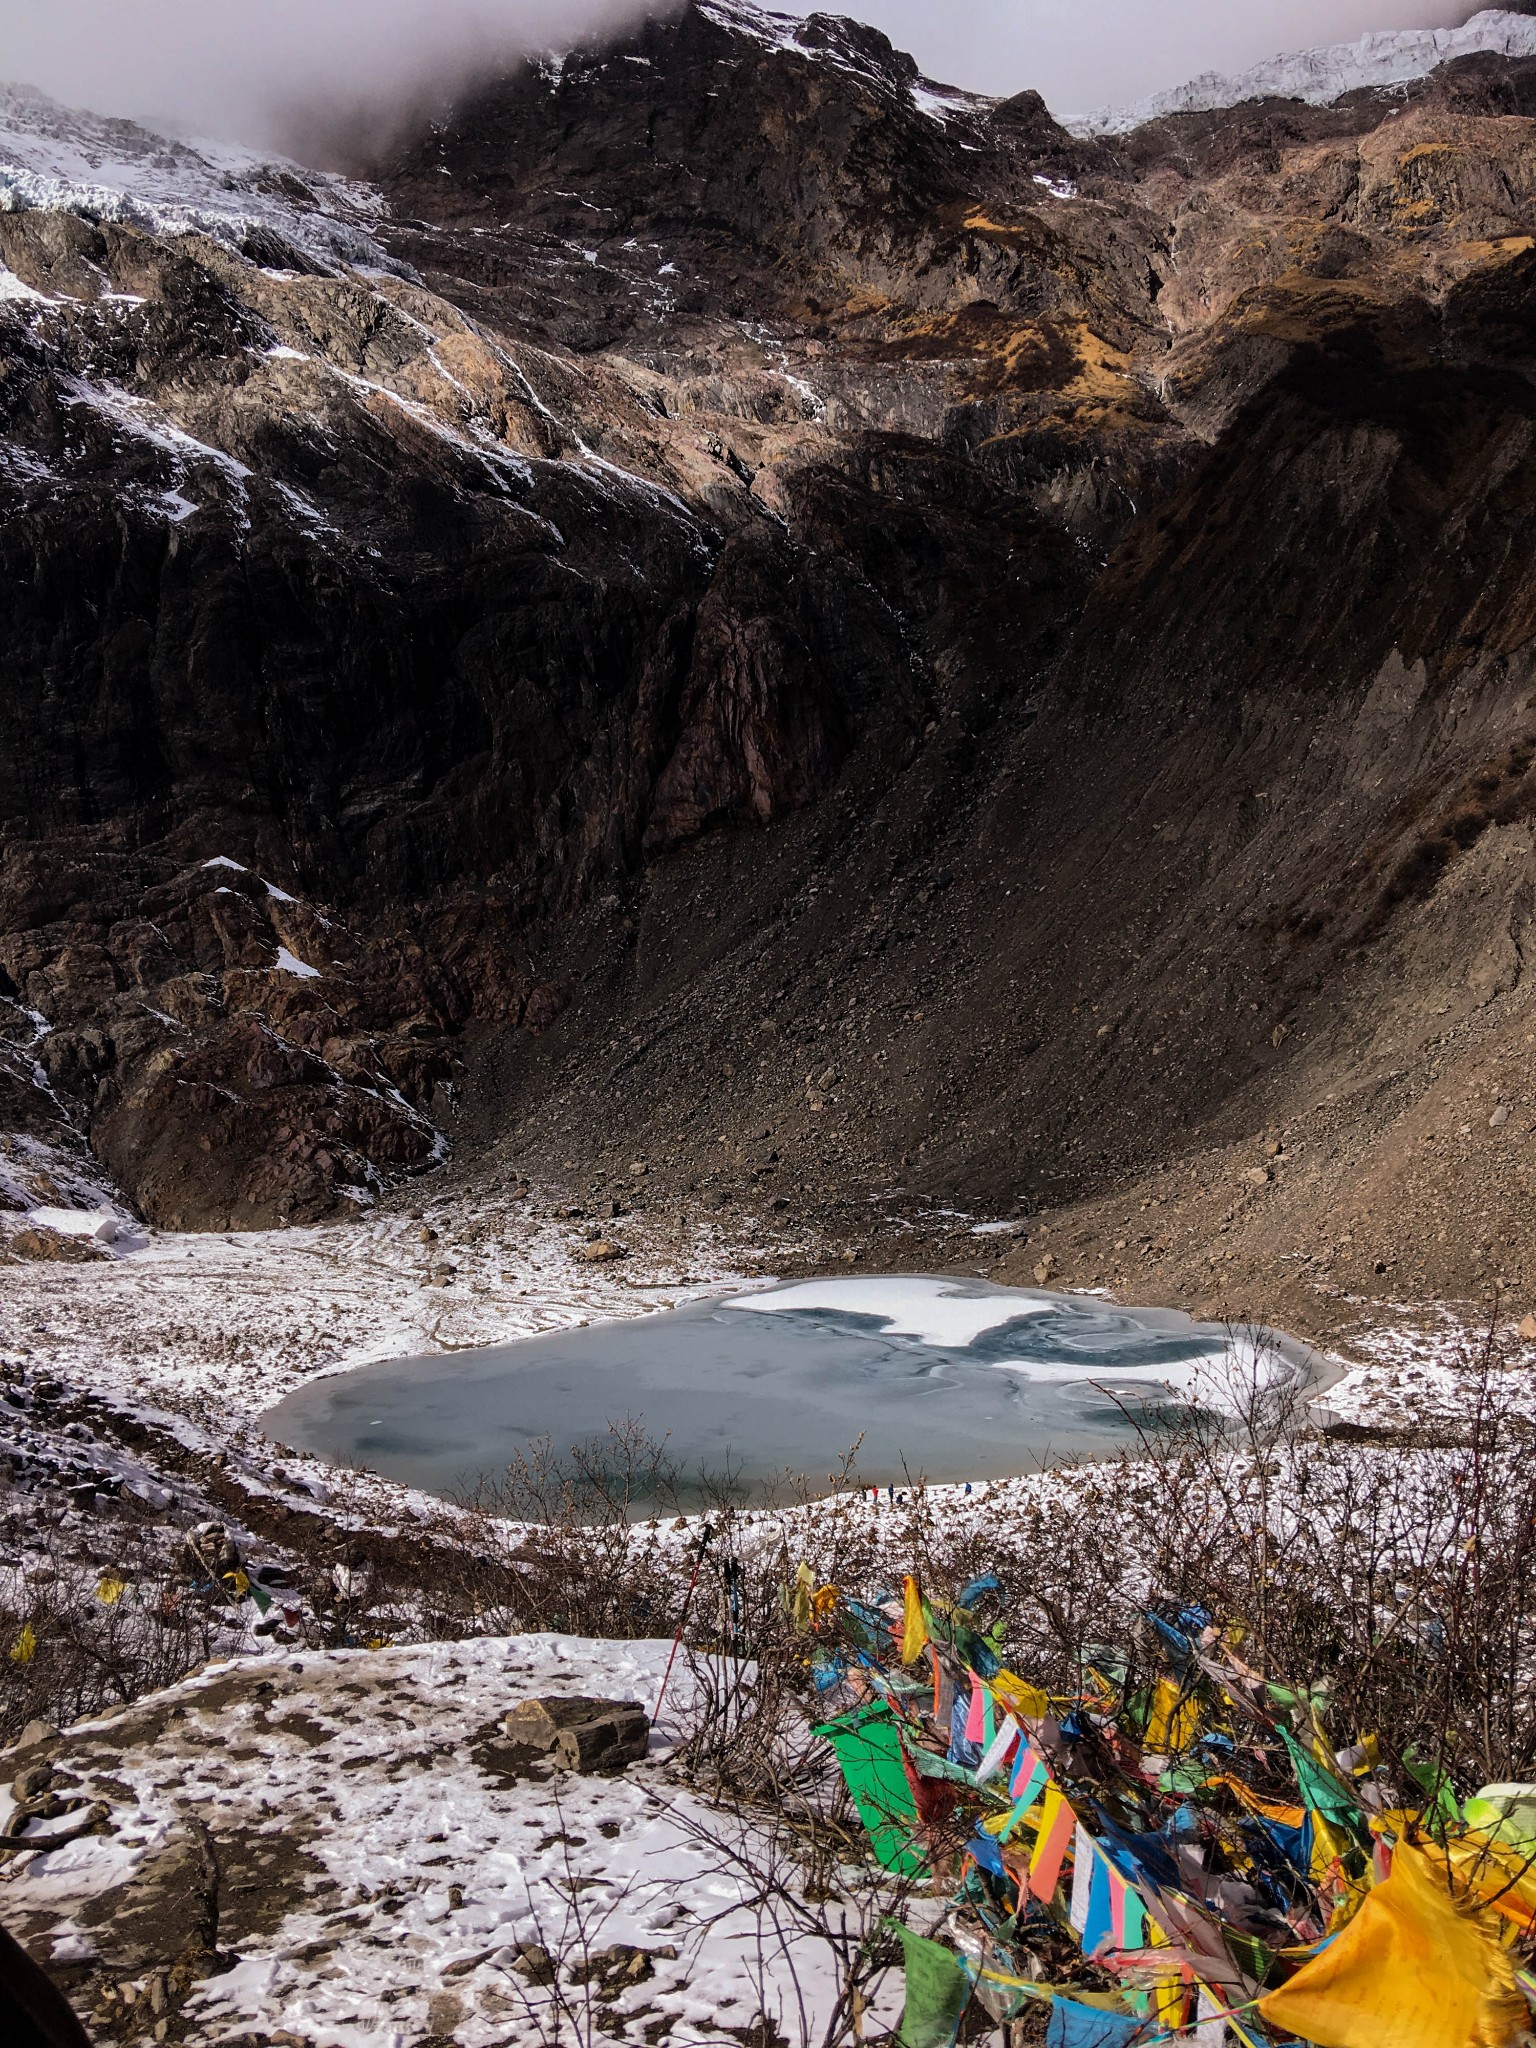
<point x="56" y="157"/>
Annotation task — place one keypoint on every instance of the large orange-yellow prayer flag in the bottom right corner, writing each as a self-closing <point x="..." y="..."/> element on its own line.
<point x="1412" y="1969"/>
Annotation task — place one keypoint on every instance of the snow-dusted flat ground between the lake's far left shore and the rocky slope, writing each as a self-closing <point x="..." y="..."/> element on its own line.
<point x="220" y="1326"/>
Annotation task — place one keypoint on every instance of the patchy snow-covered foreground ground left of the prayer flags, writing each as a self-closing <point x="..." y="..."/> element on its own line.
<point x="388" y="1859"/>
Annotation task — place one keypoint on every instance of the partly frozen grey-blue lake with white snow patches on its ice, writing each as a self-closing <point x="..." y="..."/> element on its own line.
<point x="945" y="1379"/>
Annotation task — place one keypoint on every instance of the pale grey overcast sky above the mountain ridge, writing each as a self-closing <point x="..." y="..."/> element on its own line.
<point x="226" y="67"/>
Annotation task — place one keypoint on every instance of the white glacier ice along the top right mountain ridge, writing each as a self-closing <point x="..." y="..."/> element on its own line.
<point x="1320" y="77"/>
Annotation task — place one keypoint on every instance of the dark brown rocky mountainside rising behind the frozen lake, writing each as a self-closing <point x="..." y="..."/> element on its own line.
<point x="734" y="609"/>
